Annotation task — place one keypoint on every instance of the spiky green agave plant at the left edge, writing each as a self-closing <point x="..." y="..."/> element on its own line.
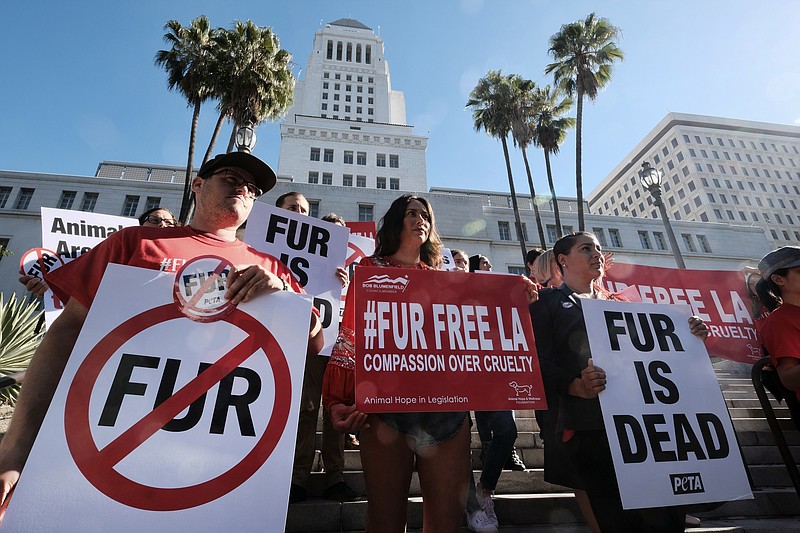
<point x="18" y="340"/>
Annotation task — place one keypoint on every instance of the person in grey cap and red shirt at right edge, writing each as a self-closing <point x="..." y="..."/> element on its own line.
<point x="779" y="292"/>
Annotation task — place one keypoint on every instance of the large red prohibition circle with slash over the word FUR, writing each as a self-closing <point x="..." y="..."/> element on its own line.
<point x="98" y="466"/>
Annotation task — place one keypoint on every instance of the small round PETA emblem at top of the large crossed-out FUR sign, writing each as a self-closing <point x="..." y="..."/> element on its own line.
<point x="199" y="288"/>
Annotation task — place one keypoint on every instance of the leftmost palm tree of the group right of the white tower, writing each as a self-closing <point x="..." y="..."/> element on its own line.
<point x="494" y="103"/>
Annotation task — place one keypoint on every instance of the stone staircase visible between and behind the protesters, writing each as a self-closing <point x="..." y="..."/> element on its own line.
<point x="524" y="502"/>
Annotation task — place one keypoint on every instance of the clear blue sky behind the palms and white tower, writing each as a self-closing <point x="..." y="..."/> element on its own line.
<point x="79" y="84"/>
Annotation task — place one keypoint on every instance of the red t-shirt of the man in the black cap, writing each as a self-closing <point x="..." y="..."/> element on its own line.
<point x="164" y="249"/>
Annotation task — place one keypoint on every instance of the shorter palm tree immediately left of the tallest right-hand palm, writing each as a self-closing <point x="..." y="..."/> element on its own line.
<point x="550" y="131"/>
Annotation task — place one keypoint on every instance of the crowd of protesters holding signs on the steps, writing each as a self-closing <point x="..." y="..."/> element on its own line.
<point x="435" y="444"/>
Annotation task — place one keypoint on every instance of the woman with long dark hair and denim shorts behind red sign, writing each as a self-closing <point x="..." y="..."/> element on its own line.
<point x="393" y="443"/>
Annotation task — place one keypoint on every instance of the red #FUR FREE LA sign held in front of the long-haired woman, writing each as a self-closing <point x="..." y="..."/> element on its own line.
<point x="442" y="341"/>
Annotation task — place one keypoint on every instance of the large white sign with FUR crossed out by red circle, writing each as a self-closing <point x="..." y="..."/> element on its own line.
<point x="162" y="423"/>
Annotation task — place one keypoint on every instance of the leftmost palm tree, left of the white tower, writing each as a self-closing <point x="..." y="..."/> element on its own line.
<point x="189" y="63"/>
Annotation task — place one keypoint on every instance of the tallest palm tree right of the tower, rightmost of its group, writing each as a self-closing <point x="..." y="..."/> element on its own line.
<point x="584" y="52"/>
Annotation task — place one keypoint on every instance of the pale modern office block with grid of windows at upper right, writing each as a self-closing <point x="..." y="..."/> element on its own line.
<point x="727" y="171"/>
